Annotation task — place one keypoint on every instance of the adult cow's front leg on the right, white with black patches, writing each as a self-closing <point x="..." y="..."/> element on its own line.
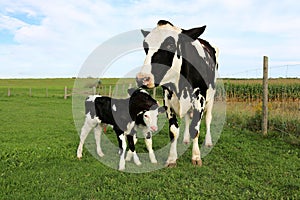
<point x="198" y="109"/>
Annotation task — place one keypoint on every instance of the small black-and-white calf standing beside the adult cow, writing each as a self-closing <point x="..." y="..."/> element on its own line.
<point x="139" y="111"/>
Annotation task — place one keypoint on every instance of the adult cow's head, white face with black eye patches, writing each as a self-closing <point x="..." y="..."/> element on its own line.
<point x="163" y="51"/>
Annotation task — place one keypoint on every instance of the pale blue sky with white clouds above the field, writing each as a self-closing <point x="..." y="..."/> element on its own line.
<point x="54" y="38"/>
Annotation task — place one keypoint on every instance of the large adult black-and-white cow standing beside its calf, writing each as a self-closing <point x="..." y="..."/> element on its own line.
<point x="185" y="66"/>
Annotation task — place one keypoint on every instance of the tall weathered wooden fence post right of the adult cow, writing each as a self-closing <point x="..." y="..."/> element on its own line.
<point x="265" y="97"/>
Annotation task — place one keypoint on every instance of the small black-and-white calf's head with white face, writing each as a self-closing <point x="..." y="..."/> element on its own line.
<point x="143" y="106"/>
